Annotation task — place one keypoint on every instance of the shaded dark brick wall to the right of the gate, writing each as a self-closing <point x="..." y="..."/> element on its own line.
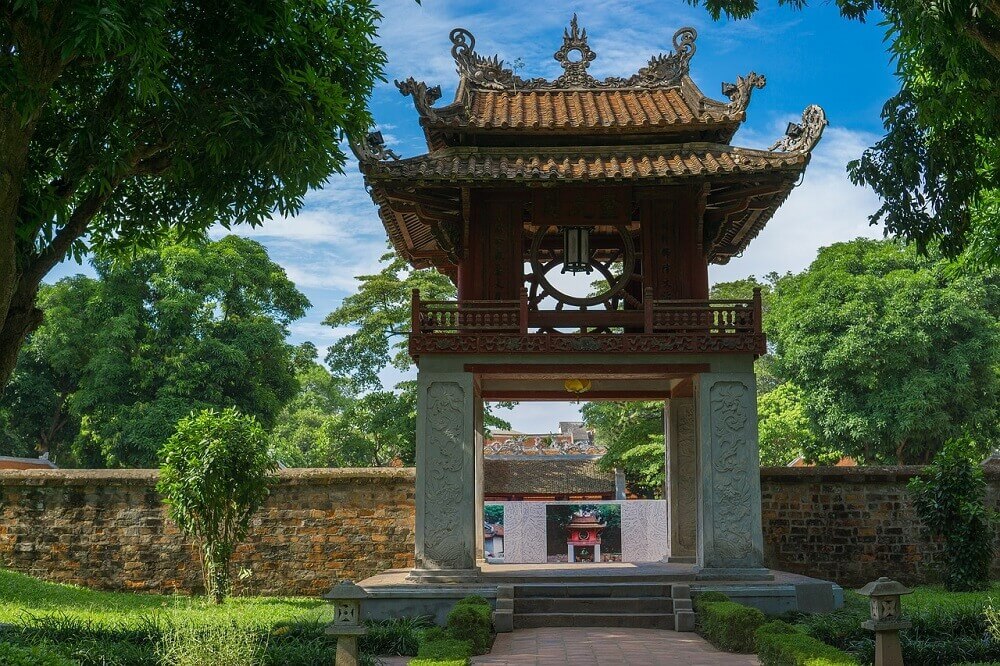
<point x="851" y="524"/>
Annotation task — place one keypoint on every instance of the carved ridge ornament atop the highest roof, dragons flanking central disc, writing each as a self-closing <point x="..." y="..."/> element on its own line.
<point x="575" y="56"/>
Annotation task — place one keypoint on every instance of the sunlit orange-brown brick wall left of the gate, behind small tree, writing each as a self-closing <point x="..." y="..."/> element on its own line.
<point x="108" y="529"/>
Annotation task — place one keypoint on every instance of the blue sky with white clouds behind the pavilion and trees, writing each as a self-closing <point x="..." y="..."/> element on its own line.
<point x="810" y="56"/>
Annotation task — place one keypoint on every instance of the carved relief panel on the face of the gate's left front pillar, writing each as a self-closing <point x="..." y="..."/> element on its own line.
<point x="444" y="542"/>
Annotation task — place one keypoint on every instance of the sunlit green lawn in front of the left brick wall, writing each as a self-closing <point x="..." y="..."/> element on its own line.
<point x="21" y="595"/>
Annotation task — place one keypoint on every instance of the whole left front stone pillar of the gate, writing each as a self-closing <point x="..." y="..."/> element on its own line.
<point x="446" y="534"/>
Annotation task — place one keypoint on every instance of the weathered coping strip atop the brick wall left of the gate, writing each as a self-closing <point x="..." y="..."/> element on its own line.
<point x="148" y="477"/>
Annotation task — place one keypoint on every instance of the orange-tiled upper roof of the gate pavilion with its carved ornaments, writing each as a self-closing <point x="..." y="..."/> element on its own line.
<point x="492" y="102"/>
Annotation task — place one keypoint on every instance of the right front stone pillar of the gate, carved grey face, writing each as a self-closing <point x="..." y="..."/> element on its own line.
<point x="730" y="540"/>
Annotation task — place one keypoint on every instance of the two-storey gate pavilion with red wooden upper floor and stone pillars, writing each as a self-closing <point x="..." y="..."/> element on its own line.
<point x="632" y="185"/>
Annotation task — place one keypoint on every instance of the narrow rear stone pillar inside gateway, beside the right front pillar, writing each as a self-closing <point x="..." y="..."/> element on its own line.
<point x="681" y="490"/>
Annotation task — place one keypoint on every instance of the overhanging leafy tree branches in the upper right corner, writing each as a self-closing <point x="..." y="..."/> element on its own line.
<point x="937" y="169"/>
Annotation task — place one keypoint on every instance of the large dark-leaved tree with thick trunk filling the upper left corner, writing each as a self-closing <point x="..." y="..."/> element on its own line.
<point x="119" y="120"/>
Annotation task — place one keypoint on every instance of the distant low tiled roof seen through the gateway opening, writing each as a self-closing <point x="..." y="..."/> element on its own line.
<point x="547" y="476"/>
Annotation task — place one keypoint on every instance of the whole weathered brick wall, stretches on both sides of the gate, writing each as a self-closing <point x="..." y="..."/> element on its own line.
<point x="108" y="529"/>
